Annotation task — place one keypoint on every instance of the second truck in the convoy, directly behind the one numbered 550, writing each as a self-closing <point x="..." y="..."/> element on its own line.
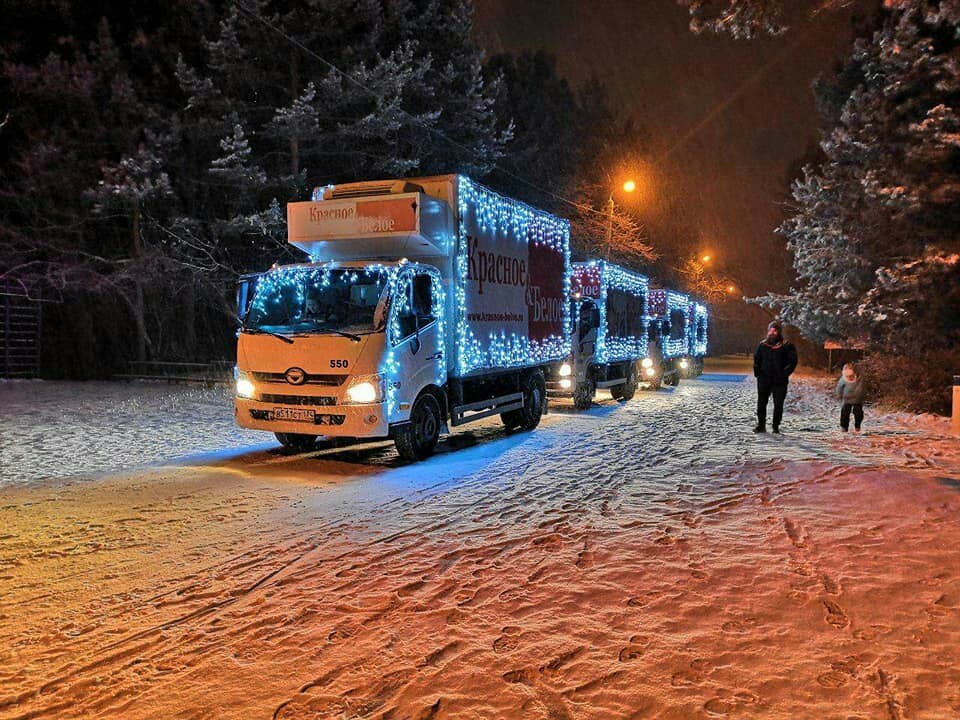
<point x="609" y="342"/>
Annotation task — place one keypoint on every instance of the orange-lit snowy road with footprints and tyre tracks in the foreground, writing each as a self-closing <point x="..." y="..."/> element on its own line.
<point x="651" y="559"/>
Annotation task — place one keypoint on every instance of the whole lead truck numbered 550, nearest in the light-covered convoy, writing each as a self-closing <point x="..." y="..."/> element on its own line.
<point x="426" y="302"/>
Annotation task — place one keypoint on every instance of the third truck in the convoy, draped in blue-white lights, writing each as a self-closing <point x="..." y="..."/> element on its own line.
<point x="668" y="336"/>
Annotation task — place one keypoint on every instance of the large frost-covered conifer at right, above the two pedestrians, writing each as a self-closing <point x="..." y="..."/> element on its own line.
<point x="873" y="229"/>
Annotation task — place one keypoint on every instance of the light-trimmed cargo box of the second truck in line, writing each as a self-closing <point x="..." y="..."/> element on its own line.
<point x="621" y="297"/>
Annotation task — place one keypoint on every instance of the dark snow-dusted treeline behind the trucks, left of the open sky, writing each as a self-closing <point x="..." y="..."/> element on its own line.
<point x="149" y="149"/>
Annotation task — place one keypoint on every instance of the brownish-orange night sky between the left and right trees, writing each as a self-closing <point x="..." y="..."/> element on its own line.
<point x="729" y="118"/>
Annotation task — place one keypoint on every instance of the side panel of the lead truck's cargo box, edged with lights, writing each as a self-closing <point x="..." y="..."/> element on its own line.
<point x="510" y="284"/>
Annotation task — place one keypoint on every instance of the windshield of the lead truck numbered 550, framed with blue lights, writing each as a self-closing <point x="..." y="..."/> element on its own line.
<point x="318" y="300"/>
